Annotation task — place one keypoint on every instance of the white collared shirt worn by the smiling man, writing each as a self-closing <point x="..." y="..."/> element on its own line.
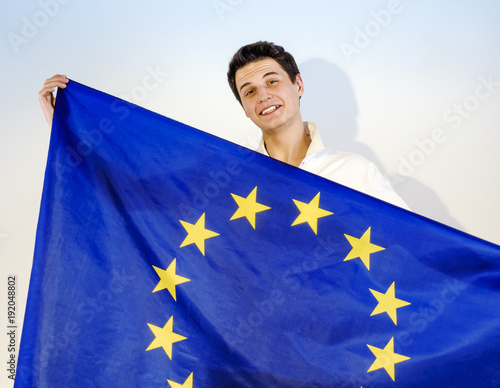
<point x="348" y="169"/>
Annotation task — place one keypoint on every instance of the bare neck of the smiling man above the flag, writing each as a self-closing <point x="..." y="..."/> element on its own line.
<point x="289" y="146"/>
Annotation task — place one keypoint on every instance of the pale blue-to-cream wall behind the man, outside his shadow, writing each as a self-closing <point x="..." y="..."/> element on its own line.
<point x="381" y="77"/>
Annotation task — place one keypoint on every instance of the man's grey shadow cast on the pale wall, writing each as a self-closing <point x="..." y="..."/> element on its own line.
<point x="330" y="102"/>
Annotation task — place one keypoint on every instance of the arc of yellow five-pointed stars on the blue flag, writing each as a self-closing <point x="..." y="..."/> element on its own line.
<point x="310" y="213"/>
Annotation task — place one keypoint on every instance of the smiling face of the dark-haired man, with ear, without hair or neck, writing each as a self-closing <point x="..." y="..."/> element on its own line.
<point x="268" y="96"/>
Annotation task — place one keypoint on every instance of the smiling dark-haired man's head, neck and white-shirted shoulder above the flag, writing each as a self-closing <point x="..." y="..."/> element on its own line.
<point x="266" y="81"/>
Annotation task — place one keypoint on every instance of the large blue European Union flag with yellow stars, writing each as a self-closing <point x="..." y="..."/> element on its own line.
<point x="168" y="257"/>
